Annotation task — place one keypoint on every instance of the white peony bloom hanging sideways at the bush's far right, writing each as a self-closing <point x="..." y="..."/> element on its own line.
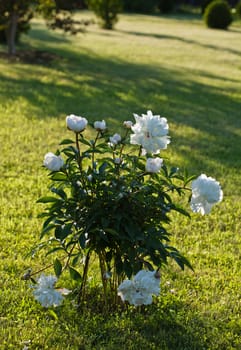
<point x="206" y="191"/>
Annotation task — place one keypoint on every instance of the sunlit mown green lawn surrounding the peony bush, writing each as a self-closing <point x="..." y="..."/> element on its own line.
<point x="177" y="68"/>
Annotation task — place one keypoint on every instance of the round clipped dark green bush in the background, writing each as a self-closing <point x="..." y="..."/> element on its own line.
<point x="218" y="14"/>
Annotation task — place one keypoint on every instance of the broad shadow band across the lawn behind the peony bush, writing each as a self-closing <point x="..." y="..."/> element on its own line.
<point x="86" y="84"/>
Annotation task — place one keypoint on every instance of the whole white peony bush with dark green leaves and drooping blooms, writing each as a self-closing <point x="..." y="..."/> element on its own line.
<point x="111" y="198"/>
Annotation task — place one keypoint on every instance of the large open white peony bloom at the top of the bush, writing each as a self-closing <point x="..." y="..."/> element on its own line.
<point x="150" y="131"/>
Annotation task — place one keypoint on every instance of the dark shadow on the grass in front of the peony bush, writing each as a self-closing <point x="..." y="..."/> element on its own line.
<point x="160" y="326"/>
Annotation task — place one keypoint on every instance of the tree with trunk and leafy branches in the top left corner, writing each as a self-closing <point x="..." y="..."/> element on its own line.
<point x="16" y="14"/>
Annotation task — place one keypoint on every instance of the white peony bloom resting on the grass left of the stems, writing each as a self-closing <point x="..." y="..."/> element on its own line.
<point x="45" y="293"/>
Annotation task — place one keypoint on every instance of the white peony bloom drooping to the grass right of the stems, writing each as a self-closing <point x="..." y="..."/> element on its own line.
<point x="139" y="291"/>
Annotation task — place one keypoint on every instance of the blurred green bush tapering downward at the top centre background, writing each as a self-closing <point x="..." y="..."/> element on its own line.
<point x="107" y="11"/>
